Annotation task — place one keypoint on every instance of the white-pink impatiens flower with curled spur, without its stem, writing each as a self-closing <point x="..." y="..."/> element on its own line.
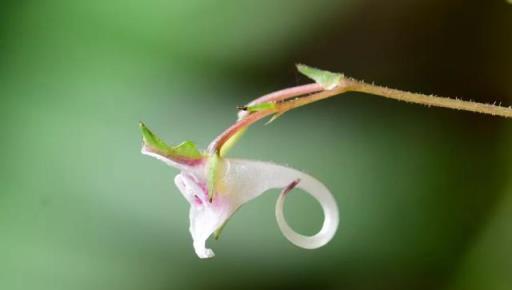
<point x="237" y="182"/>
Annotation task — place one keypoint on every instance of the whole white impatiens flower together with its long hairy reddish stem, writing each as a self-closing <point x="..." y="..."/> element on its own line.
<point x="216" y="186"/>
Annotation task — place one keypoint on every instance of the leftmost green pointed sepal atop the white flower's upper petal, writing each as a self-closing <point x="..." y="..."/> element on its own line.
<point x="185" y="150"/>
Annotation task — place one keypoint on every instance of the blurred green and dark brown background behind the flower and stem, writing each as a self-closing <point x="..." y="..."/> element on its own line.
<point x="425" y="193"/>
